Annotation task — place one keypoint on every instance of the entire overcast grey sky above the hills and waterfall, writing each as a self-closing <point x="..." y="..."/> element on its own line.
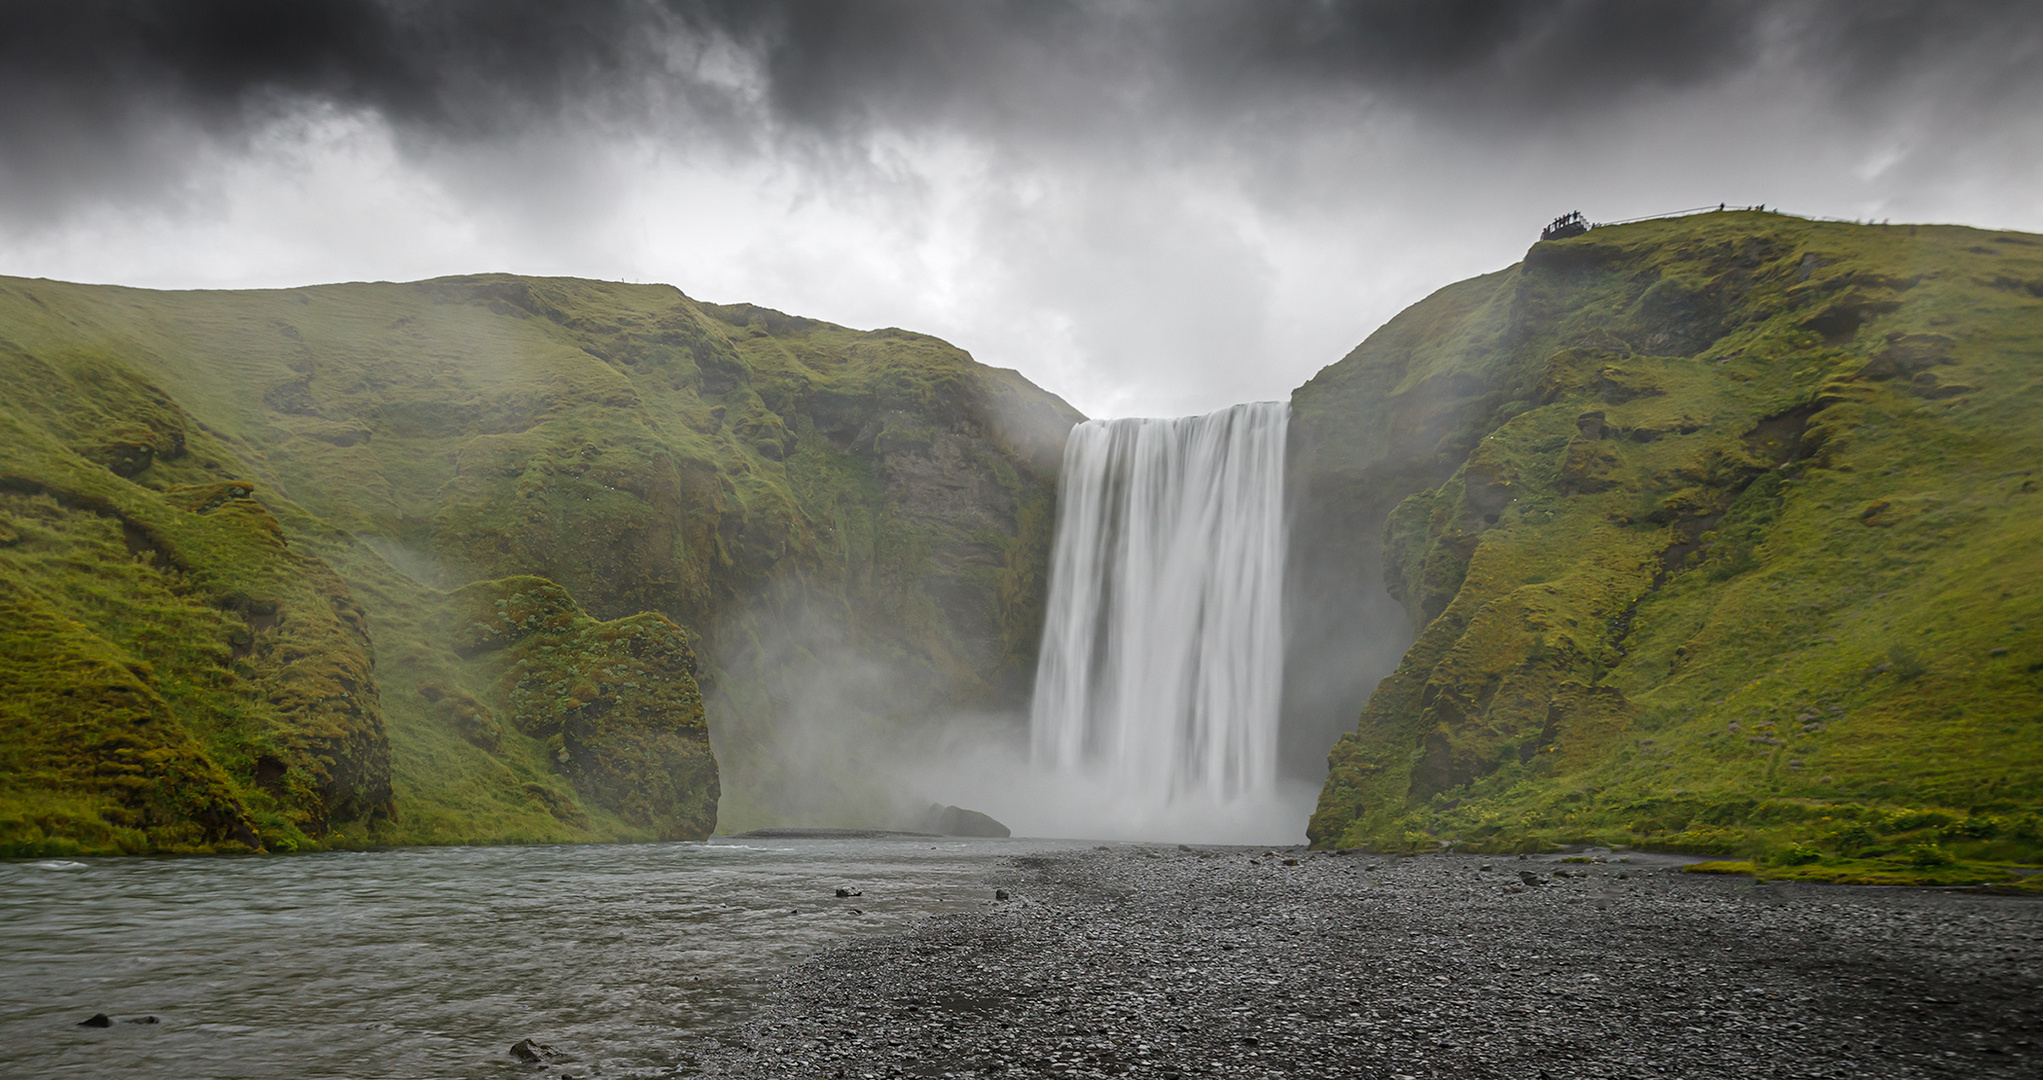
<point x="1147" y="207"/>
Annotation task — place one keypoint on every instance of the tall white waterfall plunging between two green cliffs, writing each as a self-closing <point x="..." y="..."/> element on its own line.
<point x="1163" y="640"/>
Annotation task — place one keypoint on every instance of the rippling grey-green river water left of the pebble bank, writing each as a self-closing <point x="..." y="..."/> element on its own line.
<point x="432" y="963"/>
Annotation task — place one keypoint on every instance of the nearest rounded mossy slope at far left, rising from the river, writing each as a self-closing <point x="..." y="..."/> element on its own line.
<point x="173" y="673"/>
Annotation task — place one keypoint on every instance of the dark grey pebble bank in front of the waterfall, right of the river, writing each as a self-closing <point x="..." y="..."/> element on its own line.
<point x="1227" y="963"/>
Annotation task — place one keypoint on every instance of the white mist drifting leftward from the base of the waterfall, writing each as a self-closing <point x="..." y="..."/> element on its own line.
<point x="818" y="728"/>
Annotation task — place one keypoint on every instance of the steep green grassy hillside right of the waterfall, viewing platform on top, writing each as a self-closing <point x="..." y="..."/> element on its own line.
<point x="1717" y="534"/>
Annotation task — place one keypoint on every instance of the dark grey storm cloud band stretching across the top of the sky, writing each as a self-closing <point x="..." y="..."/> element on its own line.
<point x="113" y="99"/>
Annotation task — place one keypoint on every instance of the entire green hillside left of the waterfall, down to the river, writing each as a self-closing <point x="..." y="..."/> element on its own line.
<point x="465" y="560"/>
